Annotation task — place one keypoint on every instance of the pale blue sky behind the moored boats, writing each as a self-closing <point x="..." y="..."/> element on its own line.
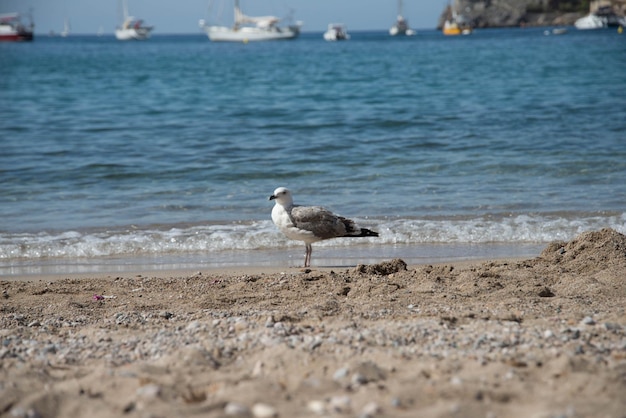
<point x="181" y="16"/>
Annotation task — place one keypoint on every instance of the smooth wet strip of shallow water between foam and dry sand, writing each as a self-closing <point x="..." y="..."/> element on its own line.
<point x="325" y="257"/>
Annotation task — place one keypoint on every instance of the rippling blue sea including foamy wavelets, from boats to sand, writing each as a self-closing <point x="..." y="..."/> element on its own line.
<point x="163" y="153"/>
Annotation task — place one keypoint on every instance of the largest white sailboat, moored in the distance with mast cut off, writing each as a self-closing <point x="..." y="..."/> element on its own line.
<point x="250" y="29"/>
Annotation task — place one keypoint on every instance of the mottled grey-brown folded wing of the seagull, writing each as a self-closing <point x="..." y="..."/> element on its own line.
<point x="323" y="223"/>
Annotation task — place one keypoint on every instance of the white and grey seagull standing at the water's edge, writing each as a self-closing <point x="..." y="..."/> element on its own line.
<point x="311" y="223"/>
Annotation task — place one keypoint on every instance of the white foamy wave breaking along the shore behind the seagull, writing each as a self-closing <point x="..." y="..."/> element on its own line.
<point x="172" y="241"/>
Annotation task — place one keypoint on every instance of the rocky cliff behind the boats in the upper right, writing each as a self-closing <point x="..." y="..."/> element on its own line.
<point x="510" y="13"/>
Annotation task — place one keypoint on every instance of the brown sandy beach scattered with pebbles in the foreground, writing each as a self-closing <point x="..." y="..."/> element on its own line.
<point x="538" y="337"/>
